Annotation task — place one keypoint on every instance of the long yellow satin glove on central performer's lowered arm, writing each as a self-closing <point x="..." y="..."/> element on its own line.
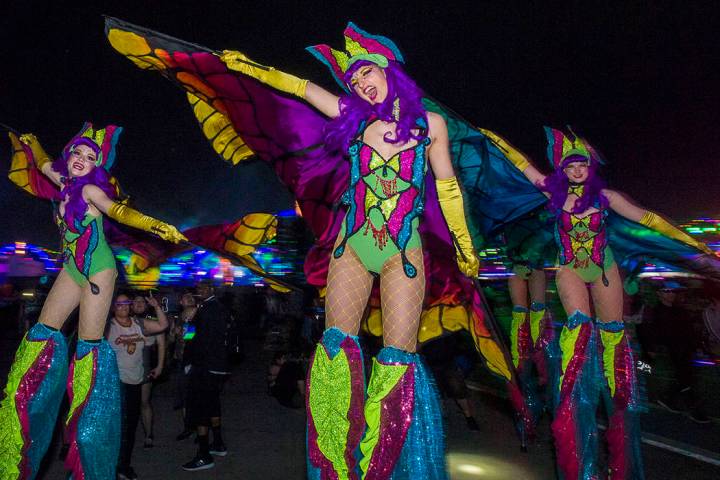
<point x="451" y="204"/>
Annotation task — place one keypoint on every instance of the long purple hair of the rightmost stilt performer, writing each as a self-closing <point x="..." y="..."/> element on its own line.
<point x="557" y="185"/>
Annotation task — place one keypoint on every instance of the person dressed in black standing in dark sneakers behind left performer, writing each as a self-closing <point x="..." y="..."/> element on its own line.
<point x="208" y="370"/>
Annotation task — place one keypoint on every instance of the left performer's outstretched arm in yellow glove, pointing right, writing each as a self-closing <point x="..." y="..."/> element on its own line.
<point x="131" y="217"/>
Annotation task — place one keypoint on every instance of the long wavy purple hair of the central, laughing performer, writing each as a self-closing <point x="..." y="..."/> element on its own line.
<point x="341" y="131"/>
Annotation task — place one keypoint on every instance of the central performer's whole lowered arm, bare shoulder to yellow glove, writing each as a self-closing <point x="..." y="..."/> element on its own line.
<point x="450" y="196"/>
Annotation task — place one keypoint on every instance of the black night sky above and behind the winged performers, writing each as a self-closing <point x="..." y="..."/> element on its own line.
<point x="639" y="79"/>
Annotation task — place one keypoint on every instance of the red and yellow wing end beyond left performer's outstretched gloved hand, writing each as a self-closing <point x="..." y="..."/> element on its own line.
<point x="237" y="241"/>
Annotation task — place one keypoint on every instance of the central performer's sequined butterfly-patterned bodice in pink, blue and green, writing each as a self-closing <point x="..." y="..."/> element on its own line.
<point x="385" y="195"/>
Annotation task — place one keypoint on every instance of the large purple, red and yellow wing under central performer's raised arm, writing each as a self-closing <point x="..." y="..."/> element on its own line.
<point x="242" y="117"/>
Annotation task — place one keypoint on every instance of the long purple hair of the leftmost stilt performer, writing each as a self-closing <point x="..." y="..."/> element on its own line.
<point x="76" y="206"/>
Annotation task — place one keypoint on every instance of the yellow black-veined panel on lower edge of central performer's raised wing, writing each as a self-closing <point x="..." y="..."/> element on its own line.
<point x="219" y="130"/>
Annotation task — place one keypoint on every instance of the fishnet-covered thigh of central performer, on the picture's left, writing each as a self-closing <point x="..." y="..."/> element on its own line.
<point x="348" y="289"/>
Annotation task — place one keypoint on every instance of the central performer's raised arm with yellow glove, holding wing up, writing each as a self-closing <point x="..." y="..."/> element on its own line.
<point x="315" y="95"/>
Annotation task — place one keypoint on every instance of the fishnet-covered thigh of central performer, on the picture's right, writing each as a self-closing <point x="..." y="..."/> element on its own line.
<point x="402" y="300"/>
